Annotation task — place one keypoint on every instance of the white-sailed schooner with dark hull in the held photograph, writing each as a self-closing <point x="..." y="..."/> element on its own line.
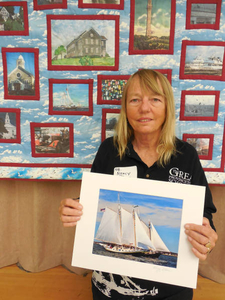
<point x="124" y="232"/>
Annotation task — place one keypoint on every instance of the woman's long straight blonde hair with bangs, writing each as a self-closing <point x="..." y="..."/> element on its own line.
<point x="124" y="132"/>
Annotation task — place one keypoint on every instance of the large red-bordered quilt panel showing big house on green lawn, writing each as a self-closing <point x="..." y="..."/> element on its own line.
<point x="91" y="42"/>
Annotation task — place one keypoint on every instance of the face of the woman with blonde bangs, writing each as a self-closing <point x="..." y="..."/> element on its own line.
<point x="146" y="111"/>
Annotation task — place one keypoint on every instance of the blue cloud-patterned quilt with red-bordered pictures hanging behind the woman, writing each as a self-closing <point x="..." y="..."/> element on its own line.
<point x="63" y="65"/>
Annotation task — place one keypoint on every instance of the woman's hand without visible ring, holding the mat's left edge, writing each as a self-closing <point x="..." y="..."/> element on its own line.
<point x="70" y="211"/>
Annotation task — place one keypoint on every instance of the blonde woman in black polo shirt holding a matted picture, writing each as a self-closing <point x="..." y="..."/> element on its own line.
<point x="145" y="146"/>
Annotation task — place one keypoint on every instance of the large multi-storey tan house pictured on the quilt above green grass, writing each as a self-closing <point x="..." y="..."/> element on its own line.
<point x="88" y="43"/>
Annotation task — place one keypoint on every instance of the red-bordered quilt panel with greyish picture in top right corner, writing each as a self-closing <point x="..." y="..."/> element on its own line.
<point x="203" y="14"/>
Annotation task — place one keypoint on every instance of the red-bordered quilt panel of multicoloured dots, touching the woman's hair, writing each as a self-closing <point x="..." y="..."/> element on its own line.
<point x="110" y="88"/>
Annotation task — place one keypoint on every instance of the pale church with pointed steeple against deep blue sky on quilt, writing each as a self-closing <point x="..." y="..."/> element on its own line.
<point x="20" y="80"/>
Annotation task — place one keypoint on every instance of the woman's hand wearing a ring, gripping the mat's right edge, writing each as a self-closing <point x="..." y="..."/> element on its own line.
<point x="202" y="237"/>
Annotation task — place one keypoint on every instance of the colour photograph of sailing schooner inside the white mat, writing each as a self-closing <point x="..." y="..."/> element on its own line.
<point x="125" y="226"/>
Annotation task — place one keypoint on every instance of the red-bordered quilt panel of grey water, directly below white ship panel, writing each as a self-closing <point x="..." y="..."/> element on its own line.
<point x="199" y="105"/>
